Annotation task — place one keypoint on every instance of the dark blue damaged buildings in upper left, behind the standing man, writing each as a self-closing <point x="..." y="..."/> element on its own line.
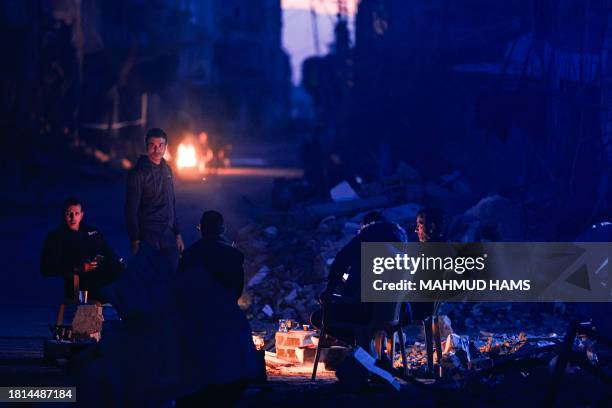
<point x="99" y="72"/>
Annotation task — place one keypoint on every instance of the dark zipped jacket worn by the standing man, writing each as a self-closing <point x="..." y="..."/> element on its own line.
<point x="150" y="201"/>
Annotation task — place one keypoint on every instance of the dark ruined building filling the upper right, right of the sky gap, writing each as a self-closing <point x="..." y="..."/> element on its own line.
<point x="456" y="90"/>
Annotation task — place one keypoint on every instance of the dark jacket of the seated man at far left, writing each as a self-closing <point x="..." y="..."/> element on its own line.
<point x="65" y="251"/>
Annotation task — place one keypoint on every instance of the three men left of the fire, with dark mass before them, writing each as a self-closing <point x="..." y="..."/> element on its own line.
<point x="164" y="296"/>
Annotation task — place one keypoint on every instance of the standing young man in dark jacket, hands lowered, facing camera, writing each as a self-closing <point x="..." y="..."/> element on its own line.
<point x="150" y="211"/>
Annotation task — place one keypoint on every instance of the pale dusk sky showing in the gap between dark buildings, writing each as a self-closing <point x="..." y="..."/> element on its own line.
<point x="298" y="39"/>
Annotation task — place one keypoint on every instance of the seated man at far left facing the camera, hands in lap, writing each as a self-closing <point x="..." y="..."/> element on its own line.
<point x="78" y="249"/>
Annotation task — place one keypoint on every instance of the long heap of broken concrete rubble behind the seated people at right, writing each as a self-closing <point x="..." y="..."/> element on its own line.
<point x="288" y="256"/>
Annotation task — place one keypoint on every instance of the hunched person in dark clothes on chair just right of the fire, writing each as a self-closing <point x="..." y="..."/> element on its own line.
<point x="341" y="300"/>
